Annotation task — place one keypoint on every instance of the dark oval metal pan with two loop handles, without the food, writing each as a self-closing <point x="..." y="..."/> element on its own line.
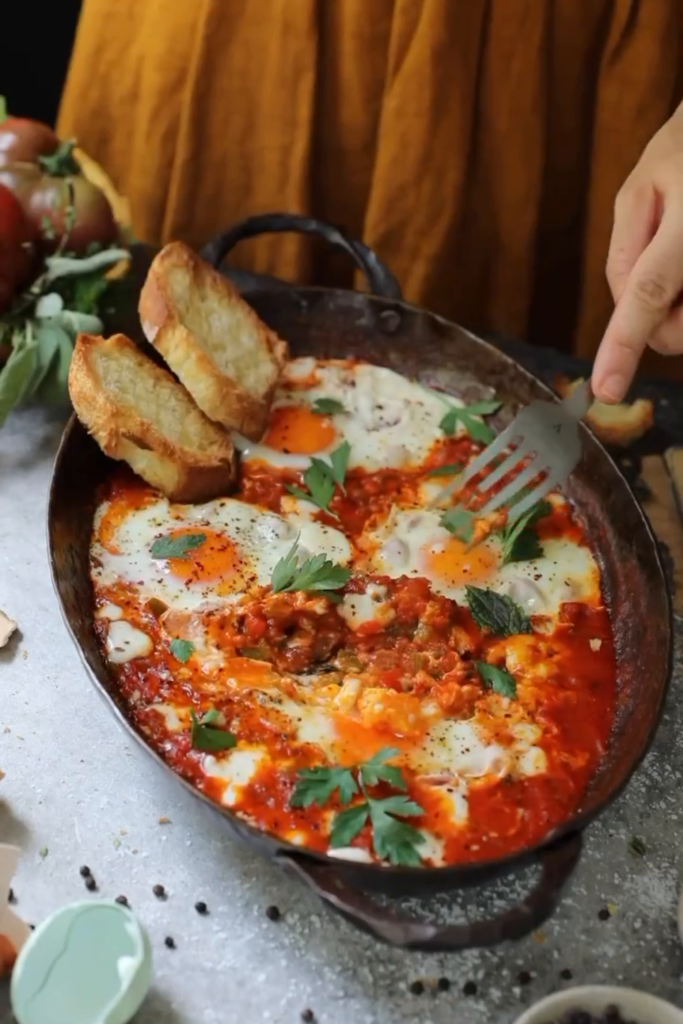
<point x="386" y="330"/>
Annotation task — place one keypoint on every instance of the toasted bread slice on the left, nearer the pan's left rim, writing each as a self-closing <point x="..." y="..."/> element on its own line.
<point x="138" y="412"/>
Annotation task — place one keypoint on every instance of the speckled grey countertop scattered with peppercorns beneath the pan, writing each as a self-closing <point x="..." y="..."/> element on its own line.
<point x="78" y="788"/>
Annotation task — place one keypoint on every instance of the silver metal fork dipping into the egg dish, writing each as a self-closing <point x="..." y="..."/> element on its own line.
<point x="546" y="434"/>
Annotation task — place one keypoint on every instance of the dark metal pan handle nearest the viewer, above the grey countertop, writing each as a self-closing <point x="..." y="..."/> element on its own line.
<point x="558" y="864"/>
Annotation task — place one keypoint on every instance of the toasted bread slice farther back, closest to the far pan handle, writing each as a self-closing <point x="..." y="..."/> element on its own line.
<point x="212" y="340"/>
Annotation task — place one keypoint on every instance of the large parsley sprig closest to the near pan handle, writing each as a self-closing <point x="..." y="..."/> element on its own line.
<point x="394" y="840"/>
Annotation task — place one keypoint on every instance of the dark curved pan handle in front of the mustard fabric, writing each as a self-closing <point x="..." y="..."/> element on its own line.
<point x="380" y="279"/>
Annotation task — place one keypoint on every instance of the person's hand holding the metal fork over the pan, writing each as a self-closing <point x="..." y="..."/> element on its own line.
<point x="646" y="265"/>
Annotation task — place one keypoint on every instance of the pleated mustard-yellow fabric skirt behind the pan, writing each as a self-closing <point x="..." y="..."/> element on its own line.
<point x="477" y="145"/>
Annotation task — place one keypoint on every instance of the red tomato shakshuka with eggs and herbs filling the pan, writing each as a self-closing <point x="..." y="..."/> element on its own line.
<point x="345" y="663"/>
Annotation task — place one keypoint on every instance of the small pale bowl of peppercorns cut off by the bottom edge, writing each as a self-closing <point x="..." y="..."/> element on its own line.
<point x="602" y="1005"/>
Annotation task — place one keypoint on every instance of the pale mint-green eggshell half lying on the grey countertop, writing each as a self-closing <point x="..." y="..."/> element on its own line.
<point x="90" y="963"/>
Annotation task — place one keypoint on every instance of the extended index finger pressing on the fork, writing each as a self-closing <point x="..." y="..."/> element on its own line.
<point x="653" y="288"/>
